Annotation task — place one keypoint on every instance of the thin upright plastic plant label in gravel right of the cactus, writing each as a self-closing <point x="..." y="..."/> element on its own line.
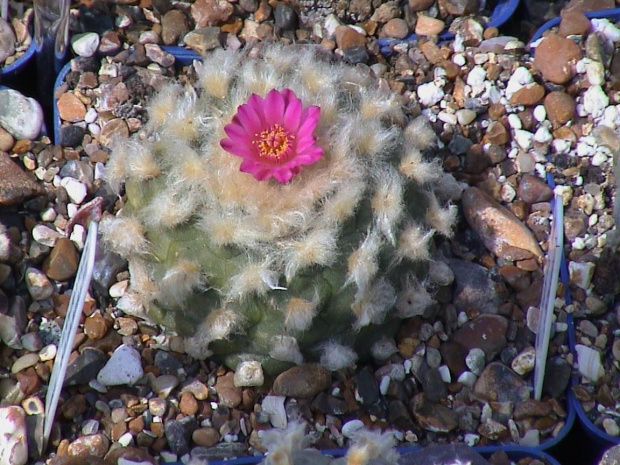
<point x="550" y="286"/>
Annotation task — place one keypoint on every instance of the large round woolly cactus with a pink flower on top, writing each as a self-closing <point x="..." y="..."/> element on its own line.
<point x="282" y="211"/>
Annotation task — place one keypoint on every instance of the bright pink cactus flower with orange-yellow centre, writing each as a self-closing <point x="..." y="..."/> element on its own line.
<point x="274" y="136"/>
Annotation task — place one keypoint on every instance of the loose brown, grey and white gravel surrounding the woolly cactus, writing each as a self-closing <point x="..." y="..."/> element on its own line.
<point x="462" y="372"/>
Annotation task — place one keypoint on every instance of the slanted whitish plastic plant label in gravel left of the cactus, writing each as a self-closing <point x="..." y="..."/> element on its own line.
<point x="67" y="337"/>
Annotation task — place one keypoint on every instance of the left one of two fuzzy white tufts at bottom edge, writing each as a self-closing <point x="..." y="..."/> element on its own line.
<point x="281" y="444"/>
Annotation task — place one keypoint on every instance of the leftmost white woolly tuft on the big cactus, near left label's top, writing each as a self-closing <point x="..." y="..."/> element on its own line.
<point x="124" y="235"/>
